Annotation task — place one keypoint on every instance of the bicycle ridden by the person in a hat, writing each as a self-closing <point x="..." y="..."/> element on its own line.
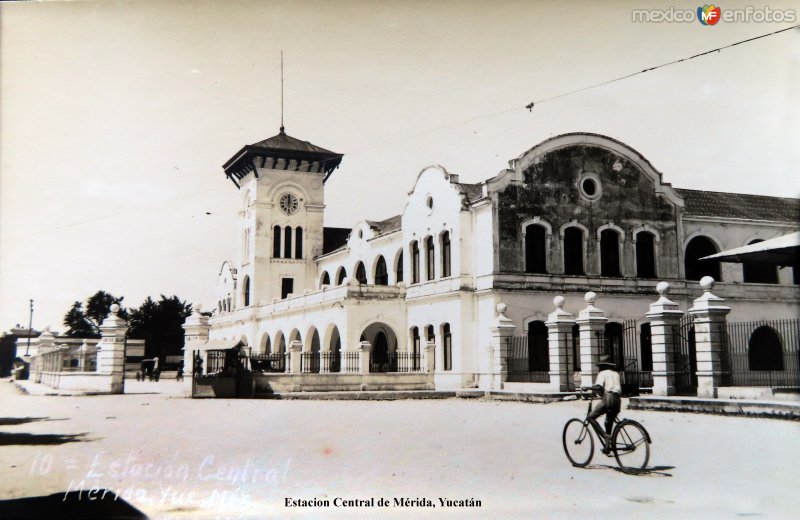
<point x="629" y="442"/>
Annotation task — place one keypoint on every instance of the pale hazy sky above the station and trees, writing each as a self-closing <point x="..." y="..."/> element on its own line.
<point x="116" y="117"/>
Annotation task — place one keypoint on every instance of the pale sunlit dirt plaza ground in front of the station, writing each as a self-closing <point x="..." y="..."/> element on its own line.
<point x="172" y="457"/>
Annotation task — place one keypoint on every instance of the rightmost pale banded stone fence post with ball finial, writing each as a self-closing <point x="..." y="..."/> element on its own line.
<point x="709" y="316"/>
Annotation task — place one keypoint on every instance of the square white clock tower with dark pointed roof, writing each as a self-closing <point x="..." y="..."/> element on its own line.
<point x="282" y="181"/>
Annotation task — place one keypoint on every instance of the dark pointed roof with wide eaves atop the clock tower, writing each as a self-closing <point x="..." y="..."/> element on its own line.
<point x="282" y="152"/>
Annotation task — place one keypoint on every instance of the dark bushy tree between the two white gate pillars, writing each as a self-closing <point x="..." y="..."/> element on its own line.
<point x="160" y="325"/>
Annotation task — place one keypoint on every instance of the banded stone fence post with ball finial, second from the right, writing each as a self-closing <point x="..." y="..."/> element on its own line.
<point x="665" y="317"/>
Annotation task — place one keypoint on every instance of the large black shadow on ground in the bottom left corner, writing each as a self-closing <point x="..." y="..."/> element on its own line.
<point x="104" y="504"/>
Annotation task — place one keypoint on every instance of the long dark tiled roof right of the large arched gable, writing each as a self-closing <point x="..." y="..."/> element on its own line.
<point x="739" y="205"/>
